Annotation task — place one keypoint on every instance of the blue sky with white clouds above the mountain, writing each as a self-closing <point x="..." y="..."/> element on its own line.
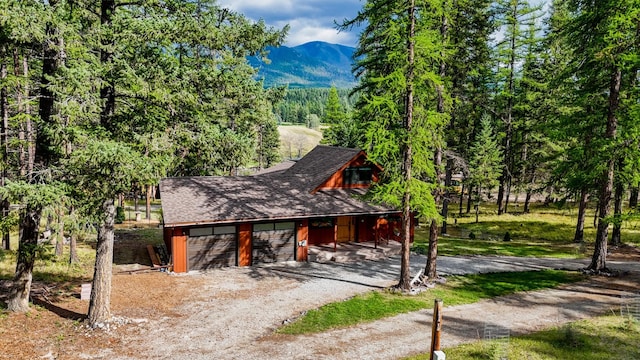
<point x="309" y="20"/>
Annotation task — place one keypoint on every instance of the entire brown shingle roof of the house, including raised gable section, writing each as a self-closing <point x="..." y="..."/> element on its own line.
<point x="279" y="195"/>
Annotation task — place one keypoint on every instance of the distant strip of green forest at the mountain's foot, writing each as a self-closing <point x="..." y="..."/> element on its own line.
<point x="300" y="105"/>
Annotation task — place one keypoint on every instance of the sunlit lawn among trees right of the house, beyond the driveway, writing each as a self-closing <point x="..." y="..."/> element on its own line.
<point x="546" y="232"/>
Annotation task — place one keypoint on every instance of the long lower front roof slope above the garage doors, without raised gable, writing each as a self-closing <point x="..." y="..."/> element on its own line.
<point x="217" y="199"/>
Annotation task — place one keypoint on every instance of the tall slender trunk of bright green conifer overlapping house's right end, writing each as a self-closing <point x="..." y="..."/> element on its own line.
<point x="407" y="157"/>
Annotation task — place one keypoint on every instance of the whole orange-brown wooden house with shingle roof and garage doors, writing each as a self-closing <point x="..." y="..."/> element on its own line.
<point x="273" y="216"/>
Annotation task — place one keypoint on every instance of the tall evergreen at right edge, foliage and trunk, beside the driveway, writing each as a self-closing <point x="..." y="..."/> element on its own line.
<point x="604" y="66"/>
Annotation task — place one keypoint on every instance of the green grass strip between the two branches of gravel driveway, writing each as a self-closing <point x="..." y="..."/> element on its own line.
<point x="458" y="290"/>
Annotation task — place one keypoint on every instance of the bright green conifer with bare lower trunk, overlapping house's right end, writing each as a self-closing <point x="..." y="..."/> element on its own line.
<point x="397" y="106"/>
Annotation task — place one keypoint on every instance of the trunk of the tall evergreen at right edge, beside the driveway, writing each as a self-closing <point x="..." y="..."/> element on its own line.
<point x="599" y="259"/>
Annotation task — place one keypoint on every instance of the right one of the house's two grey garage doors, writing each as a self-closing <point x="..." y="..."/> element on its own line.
<point x="274" y="242"/>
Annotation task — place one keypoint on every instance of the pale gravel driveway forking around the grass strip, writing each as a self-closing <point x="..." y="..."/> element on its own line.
<point x="233" y="312"/>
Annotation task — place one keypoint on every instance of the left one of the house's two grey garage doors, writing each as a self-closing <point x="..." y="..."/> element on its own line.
<point x="212" y="247"/>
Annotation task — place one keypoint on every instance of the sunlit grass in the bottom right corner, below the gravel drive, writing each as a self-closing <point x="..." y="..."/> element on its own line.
<point x="607" y="337"/>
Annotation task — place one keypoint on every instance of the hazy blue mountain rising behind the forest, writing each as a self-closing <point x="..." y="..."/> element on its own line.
<point x="315" y="64"/>
